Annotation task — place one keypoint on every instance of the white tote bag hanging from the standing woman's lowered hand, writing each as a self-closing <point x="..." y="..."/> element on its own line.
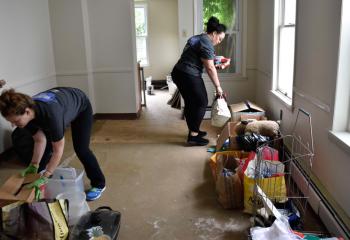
<point x="220" y="113"/>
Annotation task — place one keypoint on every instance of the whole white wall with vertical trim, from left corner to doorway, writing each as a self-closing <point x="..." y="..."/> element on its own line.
<point x="95" y="51"/>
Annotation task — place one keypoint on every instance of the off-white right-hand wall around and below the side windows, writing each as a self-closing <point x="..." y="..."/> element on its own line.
<point x="317" y="46"/>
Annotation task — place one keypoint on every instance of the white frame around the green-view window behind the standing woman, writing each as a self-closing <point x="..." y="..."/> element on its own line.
<point x="240" y="32"/>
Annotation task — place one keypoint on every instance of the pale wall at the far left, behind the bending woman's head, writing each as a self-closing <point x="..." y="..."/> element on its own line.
<point x="26" y="59"/>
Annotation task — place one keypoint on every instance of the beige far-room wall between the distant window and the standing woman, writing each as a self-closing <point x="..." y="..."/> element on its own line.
<point x="163" y="37"/>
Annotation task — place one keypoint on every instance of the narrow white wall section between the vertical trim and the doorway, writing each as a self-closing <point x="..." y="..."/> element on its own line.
<point x="113" y="55"/>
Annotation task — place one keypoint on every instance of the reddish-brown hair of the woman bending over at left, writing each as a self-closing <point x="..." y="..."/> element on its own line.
<point x="14" y="103"/>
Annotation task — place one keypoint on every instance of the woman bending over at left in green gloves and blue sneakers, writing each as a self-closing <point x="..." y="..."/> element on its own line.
<point x="51" y="112"/>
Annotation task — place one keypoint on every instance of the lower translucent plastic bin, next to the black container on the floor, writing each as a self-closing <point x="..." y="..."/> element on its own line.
<point x="77" y="205"/>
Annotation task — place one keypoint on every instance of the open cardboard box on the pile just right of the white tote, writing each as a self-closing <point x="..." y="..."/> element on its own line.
<point x="246" y="110"/>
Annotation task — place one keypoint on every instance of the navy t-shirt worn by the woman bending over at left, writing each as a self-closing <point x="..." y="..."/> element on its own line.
<point x="55" y="109"/>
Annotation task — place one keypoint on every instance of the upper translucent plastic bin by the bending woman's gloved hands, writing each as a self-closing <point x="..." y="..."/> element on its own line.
<point x="64" y="180"/>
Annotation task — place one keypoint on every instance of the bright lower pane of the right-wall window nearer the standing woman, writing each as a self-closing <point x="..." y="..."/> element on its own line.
<point x="286" y="61"/>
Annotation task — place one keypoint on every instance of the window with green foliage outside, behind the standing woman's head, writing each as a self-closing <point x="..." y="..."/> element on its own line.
<point x="228" y="13"/>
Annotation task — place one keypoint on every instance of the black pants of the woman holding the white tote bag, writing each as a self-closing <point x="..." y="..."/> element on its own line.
<point x="193" y="91"/>
